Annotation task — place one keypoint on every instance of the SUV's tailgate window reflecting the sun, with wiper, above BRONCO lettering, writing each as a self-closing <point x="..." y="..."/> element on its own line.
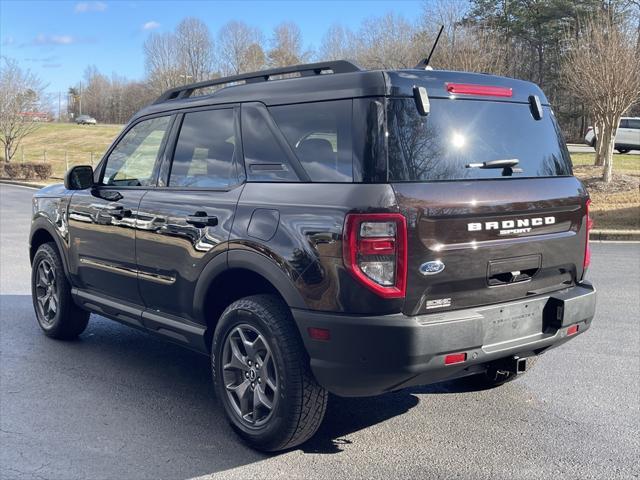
<point x="457" y="133"/>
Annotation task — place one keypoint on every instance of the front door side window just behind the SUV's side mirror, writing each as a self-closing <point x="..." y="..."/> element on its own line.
<point x="132" y="161"/>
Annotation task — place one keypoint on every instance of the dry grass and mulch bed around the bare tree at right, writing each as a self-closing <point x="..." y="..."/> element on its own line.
<point x="616" y="206"/>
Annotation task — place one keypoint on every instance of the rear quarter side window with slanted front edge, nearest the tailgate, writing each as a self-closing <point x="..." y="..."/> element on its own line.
<point x="320" y="136"/>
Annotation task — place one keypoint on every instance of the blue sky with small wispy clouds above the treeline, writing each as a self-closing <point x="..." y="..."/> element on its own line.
<point x="57" y="40"/>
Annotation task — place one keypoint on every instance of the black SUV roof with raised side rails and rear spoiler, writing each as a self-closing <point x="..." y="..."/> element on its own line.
<point x="332" y="81"/>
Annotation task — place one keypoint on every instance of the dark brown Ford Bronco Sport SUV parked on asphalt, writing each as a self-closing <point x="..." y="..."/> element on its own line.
<point x="322" y="228"/>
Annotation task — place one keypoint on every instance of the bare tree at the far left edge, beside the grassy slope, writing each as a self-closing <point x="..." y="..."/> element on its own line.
<point x="20" y="93"/>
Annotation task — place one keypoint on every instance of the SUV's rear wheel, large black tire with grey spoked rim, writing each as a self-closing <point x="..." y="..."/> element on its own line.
<point x="264" y="324"/>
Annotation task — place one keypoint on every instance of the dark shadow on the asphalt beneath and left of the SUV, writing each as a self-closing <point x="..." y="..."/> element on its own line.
<point x="130" y="405"/>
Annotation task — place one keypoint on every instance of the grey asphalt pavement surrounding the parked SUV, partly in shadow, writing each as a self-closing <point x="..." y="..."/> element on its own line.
<point x="121" y="404"/>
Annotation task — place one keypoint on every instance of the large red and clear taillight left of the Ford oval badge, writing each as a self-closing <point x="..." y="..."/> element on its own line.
<point x="374" y="248"/>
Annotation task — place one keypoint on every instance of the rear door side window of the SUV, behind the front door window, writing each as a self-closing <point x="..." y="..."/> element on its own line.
<point x="204" y="151"/>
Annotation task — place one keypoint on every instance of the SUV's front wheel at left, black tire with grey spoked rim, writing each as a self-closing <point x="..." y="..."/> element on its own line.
<point x="57" y="314"/>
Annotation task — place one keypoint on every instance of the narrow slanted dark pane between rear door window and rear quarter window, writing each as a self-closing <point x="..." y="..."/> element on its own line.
<point x="264" y="157"/>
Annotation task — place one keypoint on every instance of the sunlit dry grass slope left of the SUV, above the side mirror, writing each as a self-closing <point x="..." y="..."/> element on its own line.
<point x="79" y="141"/>
